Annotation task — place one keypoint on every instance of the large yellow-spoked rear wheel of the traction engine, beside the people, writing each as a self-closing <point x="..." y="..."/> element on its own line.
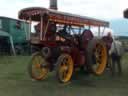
<point x="97" y="56"/>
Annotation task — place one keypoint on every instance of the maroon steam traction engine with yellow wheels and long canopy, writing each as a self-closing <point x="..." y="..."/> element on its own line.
<point x="61" y="42"/>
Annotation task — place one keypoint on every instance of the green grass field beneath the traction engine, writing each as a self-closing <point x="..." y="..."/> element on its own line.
<point x="15" y="81"/>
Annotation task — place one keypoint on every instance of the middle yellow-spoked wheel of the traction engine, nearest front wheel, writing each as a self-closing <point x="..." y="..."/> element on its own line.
<point x="64" y="68"/>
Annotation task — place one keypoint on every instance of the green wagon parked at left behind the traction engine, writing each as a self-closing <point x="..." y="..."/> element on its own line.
<point x="18" y="30"/>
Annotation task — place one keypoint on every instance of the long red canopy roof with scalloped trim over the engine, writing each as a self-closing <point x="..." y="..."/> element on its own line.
<point x="35" y="14"/>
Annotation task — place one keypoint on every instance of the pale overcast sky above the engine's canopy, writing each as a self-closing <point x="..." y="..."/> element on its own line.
<point x="101" y="9"/>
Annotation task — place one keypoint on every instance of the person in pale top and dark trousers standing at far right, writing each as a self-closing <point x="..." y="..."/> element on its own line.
<point x="116" y="52"/>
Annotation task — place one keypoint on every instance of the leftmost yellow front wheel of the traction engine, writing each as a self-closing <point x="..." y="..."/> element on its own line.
<point x="38" y="67"/>
